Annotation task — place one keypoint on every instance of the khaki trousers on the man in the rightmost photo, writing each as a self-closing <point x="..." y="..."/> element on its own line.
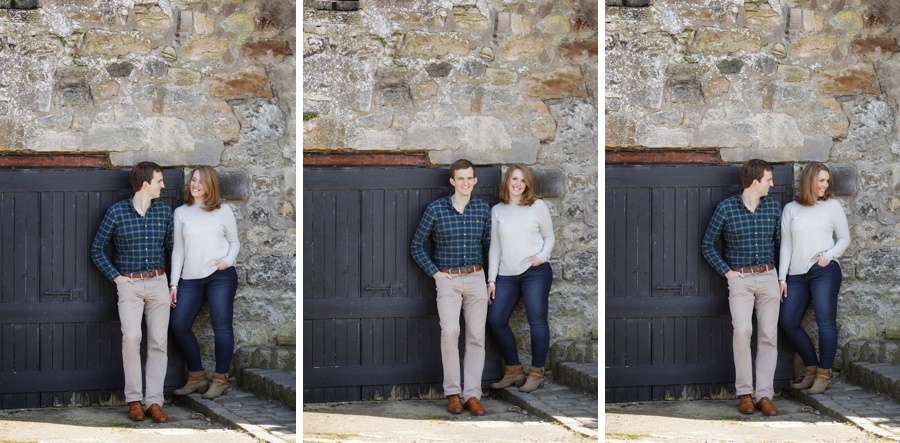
<point x="757" y="292"/>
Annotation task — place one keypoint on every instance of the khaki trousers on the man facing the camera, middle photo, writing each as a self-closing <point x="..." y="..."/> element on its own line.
<point x="467" y="293"/>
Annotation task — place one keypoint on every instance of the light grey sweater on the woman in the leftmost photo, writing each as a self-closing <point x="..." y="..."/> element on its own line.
<point x="201" y="239"/>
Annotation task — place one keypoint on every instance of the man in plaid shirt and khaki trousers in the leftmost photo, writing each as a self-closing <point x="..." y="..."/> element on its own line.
<point x="141" y="229"/>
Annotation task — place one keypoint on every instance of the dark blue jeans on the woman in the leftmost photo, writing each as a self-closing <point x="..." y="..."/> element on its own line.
<point x="218" y="290"/>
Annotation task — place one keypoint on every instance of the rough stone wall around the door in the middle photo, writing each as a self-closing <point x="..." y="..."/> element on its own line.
<point x="496" y="82"/>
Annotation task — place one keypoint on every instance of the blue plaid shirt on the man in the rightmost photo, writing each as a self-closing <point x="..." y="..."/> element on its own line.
<point x="751" y="238"/>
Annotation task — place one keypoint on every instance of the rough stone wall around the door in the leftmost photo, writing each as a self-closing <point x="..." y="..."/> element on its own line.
<point x="180" y="83"/>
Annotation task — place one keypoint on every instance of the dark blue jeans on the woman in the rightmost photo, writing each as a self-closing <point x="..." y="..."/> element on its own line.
<point x="820" y="285"/>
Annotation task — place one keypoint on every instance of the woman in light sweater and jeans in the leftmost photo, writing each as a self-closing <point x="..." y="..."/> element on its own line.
<point x="206" y="246"/>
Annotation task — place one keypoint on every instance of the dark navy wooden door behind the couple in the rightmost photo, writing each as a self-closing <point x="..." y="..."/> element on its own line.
<point x="668" y="326"/>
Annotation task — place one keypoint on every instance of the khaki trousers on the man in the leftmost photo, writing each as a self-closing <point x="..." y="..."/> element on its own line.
<point x="147" y="298"/>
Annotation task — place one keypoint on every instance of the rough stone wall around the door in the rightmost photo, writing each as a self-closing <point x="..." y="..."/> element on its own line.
<point x="784" y="80"/>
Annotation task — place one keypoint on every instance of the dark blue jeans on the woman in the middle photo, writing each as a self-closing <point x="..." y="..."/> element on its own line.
<point x="533" y="286"/>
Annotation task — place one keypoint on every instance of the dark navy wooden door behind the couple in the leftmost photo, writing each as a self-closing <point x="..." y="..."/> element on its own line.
<point x="60" y="336"/>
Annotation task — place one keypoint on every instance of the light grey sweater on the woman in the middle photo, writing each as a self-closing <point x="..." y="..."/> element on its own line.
<point x="517" y="234"/>
